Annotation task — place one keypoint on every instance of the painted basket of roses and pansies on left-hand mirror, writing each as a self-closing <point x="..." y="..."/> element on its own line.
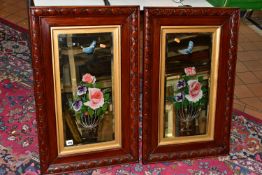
<point x="89" y="106"/>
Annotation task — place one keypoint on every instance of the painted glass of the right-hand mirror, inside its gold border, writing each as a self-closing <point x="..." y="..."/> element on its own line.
<point x="187" y="81"/>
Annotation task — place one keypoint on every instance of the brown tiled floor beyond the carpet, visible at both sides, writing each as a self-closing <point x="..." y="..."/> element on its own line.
<point x="248" y="89"/>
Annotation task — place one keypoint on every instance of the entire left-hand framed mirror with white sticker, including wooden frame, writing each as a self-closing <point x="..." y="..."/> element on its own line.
<point x="85" y="62"/>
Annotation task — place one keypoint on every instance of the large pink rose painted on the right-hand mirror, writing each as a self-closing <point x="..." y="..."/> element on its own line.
<point x="195" y="92"/>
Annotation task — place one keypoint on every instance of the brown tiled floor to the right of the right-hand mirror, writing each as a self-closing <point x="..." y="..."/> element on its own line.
<point x="248" y="85"/>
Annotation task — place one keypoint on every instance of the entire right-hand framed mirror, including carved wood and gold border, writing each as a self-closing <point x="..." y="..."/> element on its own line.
<point x="189" y="69"/>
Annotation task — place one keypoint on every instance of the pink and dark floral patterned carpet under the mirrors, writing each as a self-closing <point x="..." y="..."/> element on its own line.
<point x="18" y="135"/>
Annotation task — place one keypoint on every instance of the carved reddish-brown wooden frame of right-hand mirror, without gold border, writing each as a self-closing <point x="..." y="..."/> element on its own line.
<point x="154" y="18"/>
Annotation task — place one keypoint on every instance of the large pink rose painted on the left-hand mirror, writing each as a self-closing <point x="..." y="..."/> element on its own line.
<point x="96" y="98"/>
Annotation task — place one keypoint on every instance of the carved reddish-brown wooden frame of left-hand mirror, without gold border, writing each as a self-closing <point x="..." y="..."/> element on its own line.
<point x="41" y="19"/>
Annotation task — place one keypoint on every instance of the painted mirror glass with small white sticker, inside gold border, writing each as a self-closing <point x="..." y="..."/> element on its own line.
<point x="86" y="87"/>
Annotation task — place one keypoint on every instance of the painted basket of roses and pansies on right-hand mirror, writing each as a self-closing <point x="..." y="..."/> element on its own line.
<point x="190" y="99"/>
